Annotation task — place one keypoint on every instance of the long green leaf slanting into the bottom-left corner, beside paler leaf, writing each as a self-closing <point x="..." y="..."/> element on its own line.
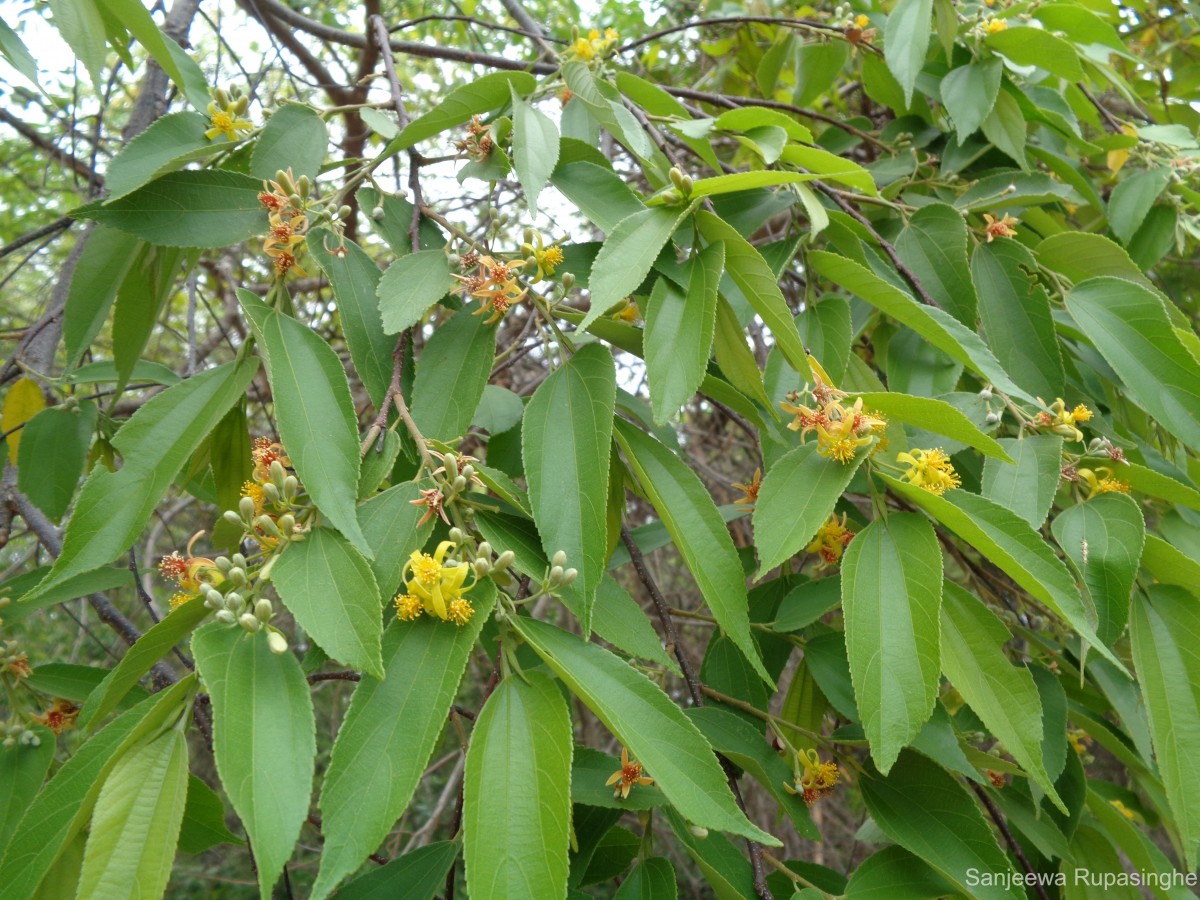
<point x="64" y="806"/>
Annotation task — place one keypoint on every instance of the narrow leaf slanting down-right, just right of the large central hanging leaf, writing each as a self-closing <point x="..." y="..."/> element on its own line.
<point x="698" y="531"/>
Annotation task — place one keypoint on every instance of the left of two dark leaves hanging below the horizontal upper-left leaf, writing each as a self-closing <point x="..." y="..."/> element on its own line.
<point x="103" y="267"/>
